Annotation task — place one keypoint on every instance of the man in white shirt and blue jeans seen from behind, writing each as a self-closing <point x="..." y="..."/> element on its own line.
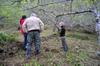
<point x="33" y="26"/>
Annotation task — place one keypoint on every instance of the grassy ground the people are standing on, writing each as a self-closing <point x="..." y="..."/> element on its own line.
<point x="82" y="48"/>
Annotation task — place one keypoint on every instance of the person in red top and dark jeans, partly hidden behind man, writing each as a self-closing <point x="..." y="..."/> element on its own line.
<point x="21" y="30"/>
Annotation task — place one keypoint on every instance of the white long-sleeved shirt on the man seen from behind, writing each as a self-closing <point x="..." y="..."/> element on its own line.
<point x="32" y="23"/>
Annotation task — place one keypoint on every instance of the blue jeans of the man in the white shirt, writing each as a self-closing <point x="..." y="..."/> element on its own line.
<point x="33" y="36"/>
